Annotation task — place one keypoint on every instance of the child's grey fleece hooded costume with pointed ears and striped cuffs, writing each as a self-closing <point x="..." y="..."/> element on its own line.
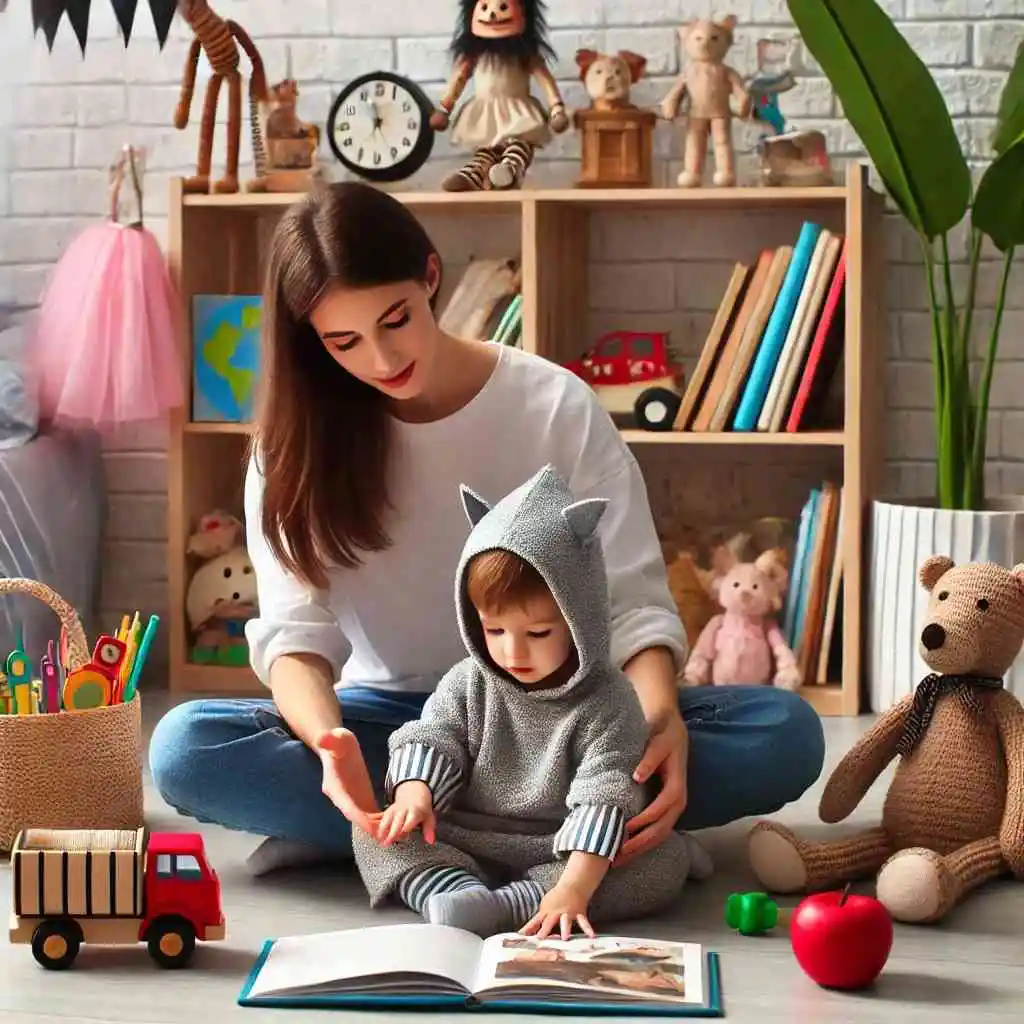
<point x="524" y="776"/>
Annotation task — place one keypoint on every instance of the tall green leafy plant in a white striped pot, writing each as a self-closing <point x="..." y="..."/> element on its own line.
<point x="893" y="103"/>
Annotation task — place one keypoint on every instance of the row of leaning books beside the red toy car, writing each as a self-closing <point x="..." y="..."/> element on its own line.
<point x="776" y="343"/>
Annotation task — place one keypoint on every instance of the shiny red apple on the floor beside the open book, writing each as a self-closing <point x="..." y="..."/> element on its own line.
<point x="841" y="941"/>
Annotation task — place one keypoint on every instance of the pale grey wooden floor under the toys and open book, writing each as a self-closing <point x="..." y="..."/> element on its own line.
<point x="972" y="966"/>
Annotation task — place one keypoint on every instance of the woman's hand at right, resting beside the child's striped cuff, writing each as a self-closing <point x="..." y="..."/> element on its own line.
<point x="666" y="754"/>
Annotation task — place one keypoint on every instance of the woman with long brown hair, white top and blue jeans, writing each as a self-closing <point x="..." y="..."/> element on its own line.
<point x="370" y="419"/>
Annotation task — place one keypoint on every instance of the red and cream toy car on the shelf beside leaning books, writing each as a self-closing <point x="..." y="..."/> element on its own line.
<point x="633" y="373"/>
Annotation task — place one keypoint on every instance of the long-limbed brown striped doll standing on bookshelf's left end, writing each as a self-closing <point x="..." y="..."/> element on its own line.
<point x="220" y="39"/>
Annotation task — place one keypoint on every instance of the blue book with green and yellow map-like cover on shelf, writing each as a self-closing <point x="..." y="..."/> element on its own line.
<point x="226" y="357"/>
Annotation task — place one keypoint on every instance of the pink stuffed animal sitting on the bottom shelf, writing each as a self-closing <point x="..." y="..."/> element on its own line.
<point x="744" y="645"/>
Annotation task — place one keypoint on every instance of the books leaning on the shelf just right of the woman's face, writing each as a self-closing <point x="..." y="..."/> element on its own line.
<point x="487" y="303"/>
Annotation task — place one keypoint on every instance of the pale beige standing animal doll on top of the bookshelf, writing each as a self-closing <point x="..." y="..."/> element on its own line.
<point x="708" y="83"/>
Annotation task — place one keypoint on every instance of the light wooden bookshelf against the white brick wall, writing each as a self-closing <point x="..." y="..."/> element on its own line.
<point x="216" y="245"/>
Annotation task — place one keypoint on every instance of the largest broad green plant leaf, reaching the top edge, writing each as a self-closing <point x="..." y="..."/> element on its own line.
<point x="893" y="104"/>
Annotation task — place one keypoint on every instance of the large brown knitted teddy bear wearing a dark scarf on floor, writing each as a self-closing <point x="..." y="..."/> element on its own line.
<point x="954" y="818"/>
